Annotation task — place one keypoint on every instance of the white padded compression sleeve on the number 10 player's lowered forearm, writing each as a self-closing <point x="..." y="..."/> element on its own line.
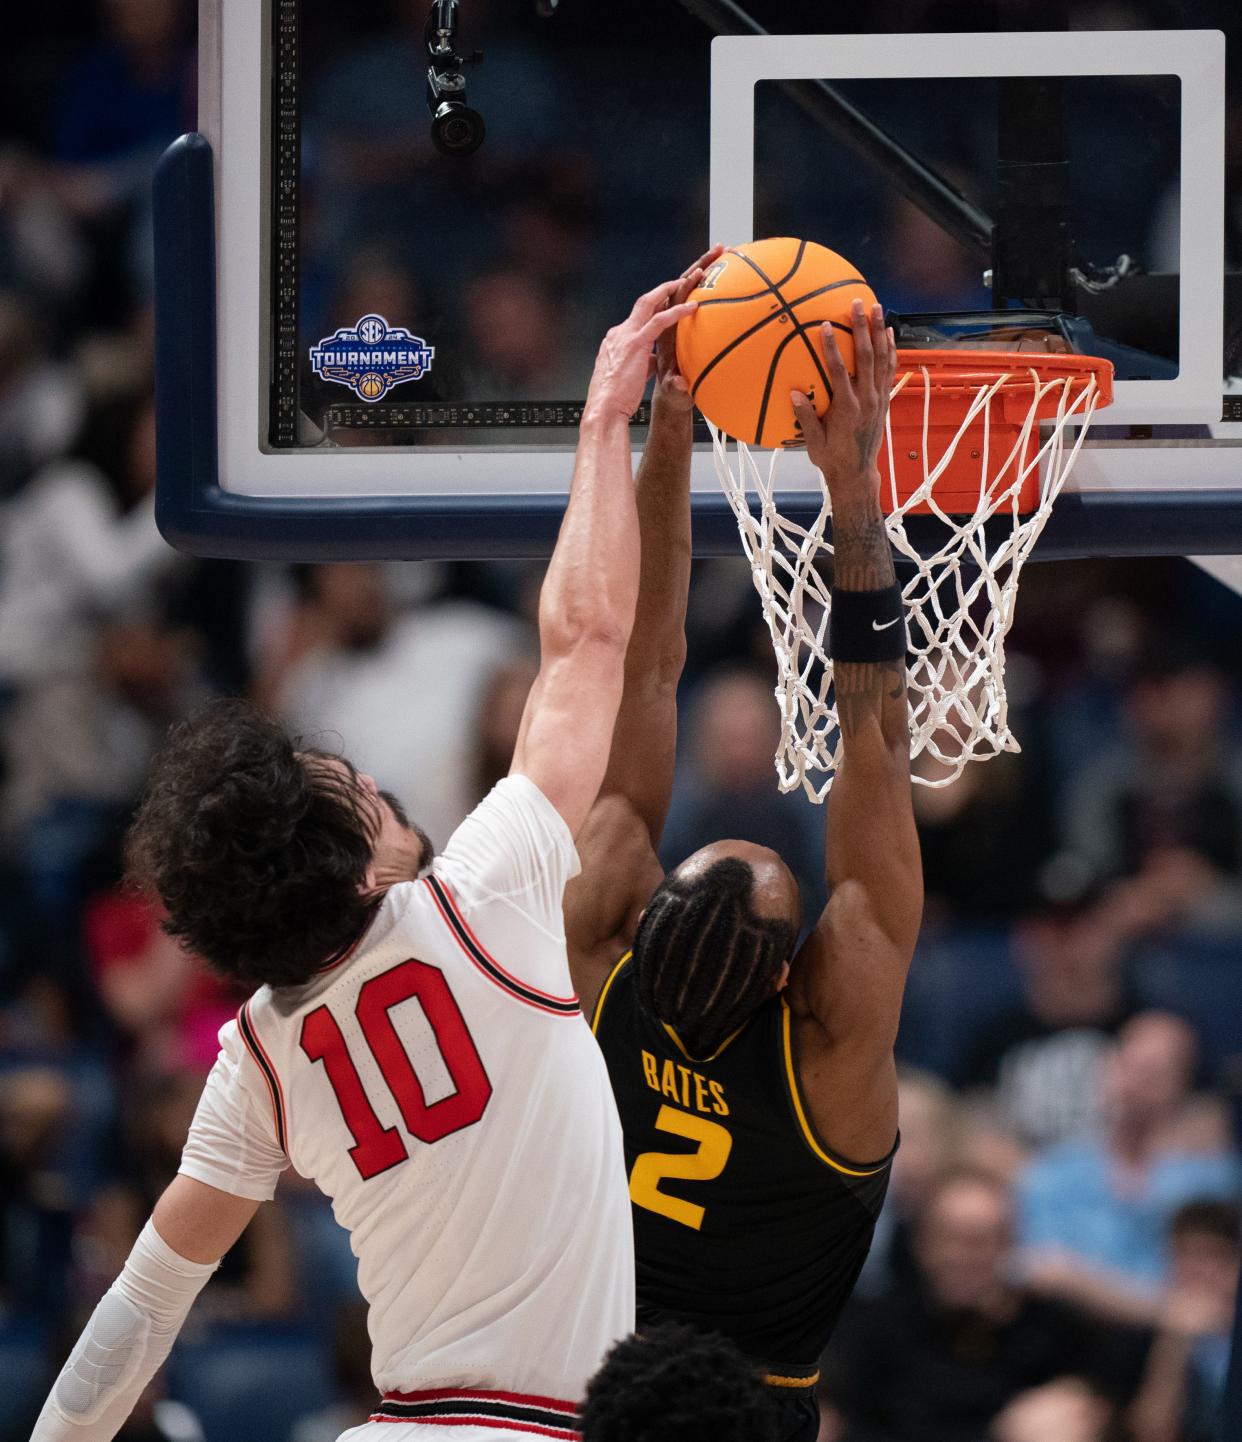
<point x="126" y="1342"/>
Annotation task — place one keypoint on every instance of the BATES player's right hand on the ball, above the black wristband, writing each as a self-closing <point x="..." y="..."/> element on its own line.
<point x="847" y="442"/>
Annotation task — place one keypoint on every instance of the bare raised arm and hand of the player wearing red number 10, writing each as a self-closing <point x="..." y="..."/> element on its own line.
<point x="591" y="592"/>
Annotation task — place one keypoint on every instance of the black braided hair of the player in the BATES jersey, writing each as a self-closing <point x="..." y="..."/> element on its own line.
<point x="703" y="960"/>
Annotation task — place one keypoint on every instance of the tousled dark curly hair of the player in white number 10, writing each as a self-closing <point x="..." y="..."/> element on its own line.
<point x="257" y="853"/>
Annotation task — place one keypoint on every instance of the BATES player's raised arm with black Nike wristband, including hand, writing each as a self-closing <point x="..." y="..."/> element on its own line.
<point x="849" y="978"/>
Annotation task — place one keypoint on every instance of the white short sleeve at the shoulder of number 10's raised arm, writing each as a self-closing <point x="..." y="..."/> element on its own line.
<point x="507" y="867"/>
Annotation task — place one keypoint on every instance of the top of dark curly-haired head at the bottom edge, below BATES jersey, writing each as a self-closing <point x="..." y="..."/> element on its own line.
<point x="677" y="1385"/>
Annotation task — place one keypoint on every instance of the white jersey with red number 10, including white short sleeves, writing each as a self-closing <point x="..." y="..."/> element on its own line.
<point x="442" y="1088"/>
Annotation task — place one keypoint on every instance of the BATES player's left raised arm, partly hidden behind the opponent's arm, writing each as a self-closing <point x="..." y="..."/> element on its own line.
<point x="618" y="846"/>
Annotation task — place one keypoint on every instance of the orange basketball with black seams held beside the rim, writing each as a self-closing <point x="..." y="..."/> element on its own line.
<point x="755" y="337"/>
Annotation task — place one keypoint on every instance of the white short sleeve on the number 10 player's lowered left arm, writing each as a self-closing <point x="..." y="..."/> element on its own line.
<point x="232" y="1143"/>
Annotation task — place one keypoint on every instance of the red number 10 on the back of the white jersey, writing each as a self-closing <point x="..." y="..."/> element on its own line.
<point x="379" y="1147"/>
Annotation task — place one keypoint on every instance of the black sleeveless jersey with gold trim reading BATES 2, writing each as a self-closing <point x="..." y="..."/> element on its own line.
<point x="745" y="1222"/>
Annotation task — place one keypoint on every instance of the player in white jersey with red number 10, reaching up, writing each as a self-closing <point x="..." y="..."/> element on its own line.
<point x="415" y="1045"/>
